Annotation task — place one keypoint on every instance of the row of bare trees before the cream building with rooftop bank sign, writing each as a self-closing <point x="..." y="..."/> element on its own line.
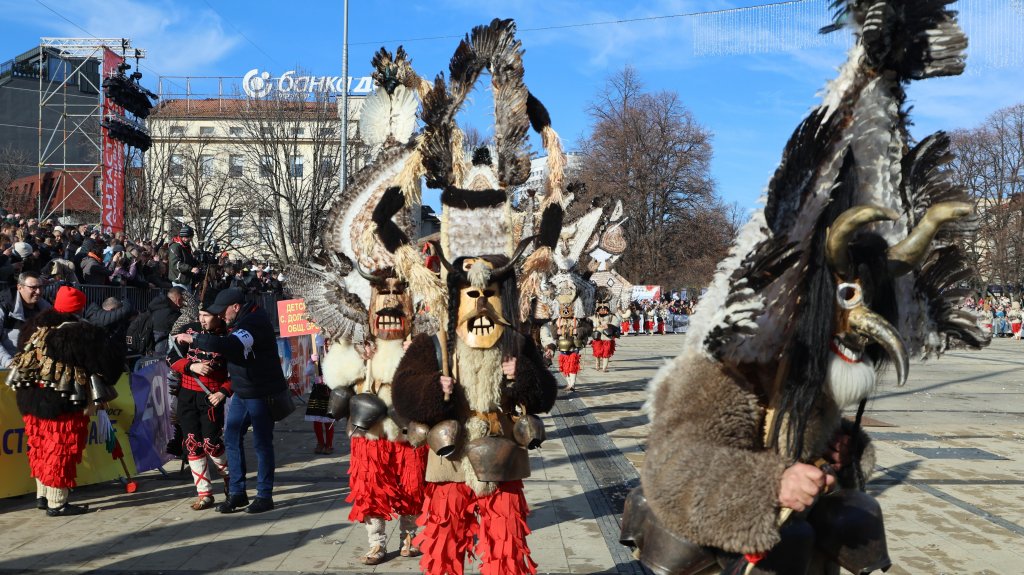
<point x="264" y="190"/>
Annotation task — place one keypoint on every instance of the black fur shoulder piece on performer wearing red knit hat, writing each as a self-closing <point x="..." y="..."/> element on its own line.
<point x="87" y="346"/>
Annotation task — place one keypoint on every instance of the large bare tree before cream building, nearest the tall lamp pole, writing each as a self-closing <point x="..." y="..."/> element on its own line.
<point x="292" y="158"/>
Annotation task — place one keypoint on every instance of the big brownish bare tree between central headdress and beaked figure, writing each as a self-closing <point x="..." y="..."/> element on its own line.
<point x="648" y="151"/>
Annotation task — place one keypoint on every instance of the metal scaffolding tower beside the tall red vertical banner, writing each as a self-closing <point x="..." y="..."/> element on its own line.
<point x="62" y="119"/>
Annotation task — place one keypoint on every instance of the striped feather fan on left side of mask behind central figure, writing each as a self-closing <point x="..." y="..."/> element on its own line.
<point x="336" y="311"/>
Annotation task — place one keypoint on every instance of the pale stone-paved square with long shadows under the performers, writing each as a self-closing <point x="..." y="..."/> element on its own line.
<point x="951" y="481"/>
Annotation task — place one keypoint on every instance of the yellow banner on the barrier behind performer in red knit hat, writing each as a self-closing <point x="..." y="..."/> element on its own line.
<point x="98" y="466"/>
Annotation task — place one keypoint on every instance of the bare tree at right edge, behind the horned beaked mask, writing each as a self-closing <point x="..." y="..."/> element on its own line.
<point x="990" y="164"/>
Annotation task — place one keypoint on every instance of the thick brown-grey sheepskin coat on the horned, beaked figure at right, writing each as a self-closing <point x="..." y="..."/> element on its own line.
<point x="708" y="475"/>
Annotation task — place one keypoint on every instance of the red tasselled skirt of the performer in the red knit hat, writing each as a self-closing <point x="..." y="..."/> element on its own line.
<point x="56" y="448"/>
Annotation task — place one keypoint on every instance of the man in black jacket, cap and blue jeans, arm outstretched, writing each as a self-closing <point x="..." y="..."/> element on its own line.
<point x="251" y="350"/>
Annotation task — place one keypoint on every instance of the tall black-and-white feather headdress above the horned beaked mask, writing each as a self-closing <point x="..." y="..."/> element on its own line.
<point x="849" y="152"/>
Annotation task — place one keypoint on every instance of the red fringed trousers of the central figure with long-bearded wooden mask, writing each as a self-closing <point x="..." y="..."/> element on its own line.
<point x="453" y="515"/>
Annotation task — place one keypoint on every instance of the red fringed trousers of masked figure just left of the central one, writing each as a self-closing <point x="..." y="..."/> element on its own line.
<point x="386" y="479"/>
